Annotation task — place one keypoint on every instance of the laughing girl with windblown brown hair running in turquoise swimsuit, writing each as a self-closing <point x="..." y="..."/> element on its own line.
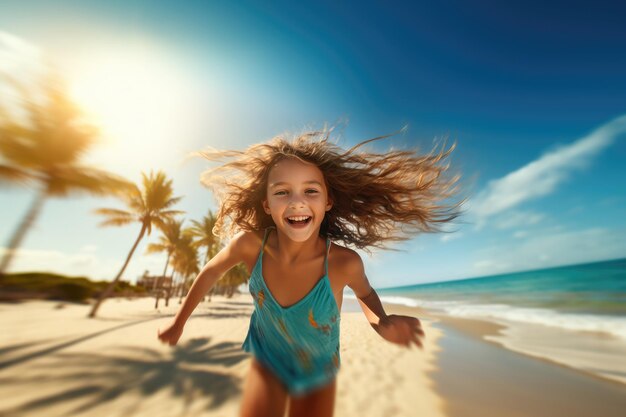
<point x="292" y="202"/>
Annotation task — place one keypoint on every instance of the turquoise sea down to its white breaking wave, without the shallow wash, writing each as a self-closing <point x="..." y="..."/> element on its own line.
<point x="585" y="297"/>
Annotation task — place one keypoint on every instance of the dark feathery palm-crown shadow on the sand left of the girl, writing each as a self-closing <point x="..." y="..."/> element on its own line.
<point x="193" y="372"/>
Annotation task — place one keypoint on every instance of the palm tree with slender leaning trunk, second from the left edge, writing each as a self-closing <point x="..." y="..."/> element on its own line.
<point x="148" y="206"/>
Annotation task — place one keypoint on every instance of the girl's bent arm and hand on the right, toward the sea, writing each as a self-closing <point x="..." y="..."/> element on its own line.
<point x="402" y="330"/>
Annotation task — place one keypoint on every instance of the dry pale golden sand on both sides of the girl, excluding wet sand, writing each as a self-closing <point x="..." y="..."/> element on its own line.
<point x="57" y="362"/>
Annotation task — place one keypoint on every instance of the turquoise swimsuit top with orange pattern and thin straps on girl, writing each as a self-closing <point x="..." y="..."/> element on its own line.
<point x="299" y="343"/>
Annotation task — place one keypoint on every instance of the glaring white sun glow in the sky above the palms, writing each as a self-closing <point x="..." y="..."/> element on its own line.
<point x="139" y="103"/>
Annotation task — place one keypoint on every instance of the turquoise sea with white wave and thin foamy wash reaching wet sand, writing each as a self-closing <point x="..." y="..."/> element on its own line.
<point x="573" y="315"/>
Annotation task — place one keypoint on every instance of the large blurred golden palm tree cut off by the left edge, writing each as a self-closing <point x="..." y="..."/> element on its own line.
<point x="46" y="151"/>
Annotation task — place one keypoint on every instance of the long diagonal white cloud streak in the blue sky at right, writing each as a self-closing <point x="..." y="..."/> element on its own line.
<point x="543" y="175"/>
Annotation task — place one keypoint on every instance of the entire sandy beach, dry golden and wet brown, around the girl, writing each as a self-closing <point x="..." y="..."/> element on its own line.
<point x="54" y="361"/>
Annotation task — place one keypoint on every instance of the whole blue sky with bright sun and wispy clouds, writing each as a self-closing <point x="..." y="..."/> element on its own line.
<point x="533" y="93"/>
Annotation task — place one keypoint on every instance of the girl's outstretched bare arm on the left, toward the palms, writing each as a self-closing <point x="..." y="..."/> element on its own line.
<point x="240" y="247"/>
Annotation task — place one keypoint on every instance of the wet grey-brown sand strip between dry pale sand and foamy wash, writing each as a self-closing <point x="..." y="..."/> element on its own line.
<point x="479" y="377"/>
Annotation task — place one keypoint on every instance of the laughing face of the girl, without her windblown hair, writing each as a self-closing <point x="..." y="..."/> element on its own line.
<point x="297" y="198"/>
